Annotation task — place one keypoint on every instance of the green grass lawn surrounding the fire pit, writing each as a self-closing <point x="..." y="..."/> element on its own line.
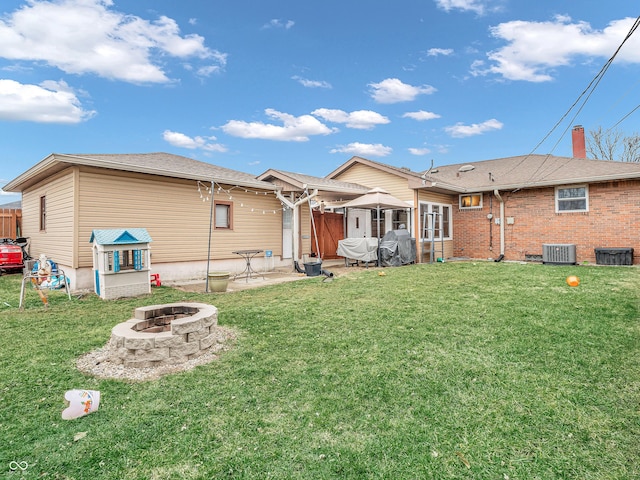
<point x="469" y="370"/>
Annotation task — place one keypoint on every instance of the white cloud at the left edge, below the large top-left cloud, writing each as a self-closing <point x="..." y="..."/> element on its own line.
<point x="50" y="102"/>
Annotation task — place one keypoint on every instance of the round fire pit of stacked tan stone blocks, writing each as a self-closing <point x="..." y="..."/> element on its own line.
<point x="168" y="334"/>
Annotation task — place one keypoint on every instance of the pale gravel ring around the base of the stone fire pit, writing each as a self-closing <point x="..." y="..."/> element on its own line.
<point x="97" y="364"/>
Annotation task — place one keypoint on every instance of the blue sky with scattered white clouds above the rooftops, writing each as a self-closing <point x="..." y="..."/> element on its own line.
<point x="304" y="85"/>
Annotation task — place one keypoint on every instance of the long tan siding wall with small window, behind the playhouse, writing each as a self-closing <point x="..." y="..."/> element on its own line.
<point x="175" y="216"/>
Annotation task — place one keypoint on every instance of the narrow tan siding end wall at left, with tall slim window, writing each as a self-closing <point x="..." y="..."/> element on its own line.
<point x="56" y="241"/>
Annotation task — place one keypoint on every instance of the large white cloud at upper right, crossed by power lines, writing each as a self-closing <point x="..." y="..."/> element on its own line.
<point x="534" y="49"/>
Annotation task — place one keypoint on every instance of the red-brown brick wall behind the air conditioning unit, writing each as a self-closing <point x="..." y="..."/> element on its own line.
<point x="613" y="221"/>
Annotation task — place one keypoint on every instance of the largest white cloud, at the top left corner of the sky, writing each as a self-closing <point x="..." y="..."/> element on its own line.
<point x="88" y="36"/>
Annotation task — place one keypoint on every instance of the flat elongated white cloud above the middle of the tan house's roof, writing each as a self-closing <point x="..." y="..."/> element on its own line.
<point x="293" y="129"/>
